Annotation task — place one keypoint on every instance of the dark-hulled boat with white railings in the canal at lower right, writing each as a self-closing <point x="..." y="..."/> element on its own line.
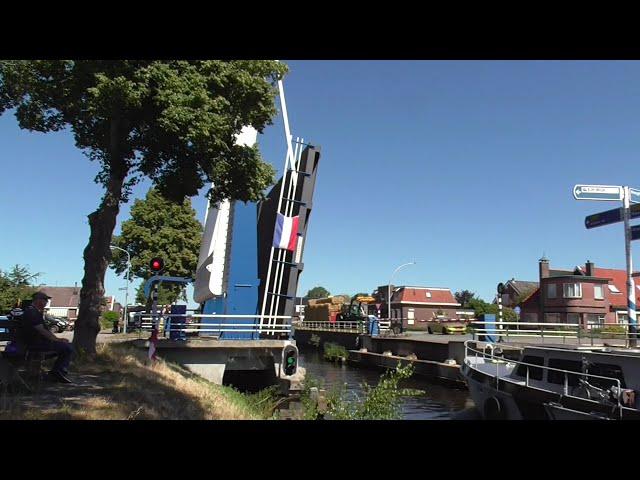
<point x="553" y="382"/>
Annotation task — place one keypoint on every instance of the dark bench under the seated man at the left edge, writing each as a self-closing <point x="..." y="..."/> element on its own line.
<point x="10" y="362"/>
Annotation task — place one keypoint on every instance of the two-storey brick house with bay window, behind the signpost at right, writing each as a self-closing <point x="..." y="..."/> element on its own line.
<point x="586" y="295"/>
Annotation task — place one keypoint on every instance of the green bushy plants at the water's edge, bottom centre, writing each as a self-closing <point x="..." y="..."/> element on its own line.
<point x="381" y="402"/>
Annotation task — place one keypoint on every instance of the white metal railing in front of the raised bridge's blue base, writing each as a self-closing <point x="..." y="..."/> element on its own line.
<point x="200" y="323"/>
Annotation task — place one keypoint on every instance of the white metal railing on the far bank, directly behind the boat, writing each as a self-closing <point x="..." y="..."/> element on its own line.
<point x="542" y="330"/>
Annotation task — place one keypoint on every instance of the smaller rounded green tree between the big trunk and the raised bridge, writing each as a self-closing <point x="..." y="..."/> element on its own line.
<point x="159" y="227"/>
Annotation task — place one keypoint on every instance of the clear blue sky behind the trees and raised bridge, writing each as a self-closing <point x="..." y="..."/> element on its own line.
<point x="466" y="167"/>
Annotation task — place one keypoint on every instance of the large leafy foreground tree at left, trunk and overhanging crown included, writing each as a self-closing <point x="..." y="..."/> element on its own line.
<point x="172" y="121"/>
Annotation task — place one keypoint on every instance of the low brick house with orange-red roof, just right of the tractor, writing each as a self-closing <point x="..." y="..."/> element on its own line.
<point x="419" y="304"/>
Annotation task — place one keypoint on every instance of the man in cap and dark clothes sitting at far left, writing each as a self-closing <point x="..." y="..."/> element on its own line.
<point x="35" y="337"/>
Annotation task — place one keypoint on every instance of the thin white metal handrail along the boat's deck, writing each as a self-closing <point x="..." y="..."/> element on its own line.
<point x="582" y="383"/>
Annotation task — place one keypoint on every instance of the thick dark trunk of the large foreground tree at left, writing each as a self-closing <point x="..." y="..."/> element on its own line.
<point x="102" y="222"/>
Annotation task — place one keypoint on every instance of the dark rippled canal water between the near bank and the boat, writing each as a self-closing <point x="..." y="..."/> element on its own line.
<point x="437" y="403"/>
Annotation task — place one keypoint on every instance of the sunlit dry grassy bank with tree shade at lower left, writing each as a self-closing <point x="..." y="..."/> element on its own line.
<point x="122" y="384"/>
